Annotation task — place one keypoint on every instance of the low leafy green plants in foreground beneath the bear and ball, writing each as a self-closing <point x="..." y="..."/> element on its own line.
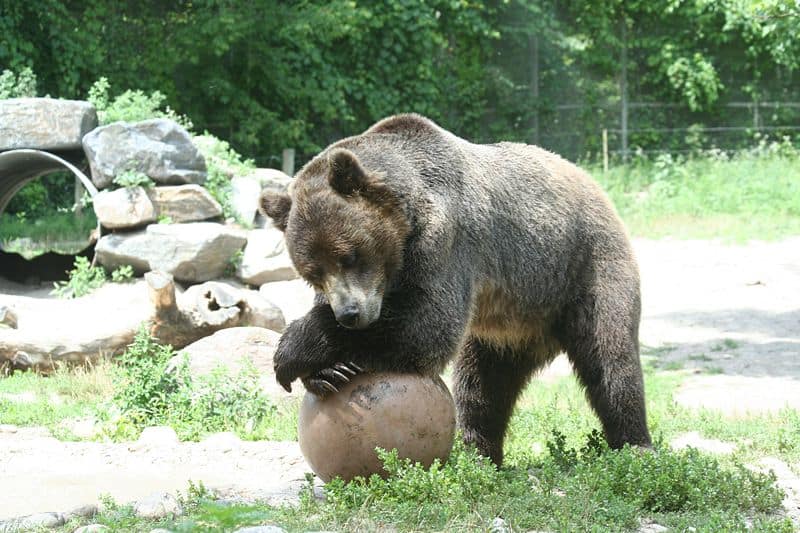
<point x="586" y="488"/>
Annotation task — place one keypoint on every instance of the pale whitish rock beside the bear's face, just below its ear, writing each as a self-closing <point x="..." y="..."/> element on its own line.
<point x="265" y="258"/>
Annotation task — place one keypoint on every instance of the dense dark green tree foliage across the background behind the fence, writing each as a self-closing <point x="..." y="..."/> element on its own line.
<point x="269" y="75"/>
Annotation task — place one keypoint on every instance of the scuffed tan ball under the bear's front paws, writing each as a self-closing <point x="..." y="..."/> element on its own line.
<point x="413" y="414"/>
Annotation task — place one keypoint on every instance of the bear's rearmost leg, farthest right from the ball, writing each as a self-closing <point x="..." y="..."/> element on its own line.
<point x="601" y="340"/>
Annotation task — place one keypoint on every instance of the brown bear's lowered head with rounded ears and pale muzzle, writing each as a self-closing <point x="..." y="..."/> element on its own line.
<point x="345" y="231"/>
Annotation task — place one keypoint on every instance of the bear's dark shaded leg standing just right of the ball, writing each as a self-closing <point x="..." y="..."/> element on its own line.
<point x="487" y="382"/>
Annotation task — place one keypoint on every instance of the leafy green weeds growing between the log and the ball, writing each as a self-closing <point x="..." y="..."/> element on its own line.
<point x="150" y="390"/>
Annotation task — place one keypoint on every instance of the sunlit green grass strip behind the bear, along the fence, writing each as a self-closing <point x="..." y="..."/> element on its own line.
<point x="734" y="198"/>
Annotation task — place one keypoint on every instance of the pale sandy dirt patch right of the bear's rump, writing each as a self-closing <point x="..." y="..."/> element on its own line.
<point x="731" y="313"/>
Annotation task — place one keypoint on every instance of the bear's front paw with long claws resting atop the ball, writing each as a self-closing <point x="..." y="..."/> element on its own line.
<point x="306" y="353"/>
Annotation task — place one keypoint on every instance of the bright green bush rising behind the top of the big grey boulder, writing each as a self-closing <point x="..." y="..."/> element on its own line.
<point x="131" y="106"/>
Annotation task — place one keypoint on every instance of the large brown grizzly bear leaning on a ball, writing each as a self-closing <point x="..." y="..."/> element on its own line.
<point x="425" y="248"/>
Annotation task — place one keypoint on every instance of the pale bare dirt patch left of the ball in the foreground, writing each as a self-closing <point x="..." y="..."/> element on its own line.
<point x="41" y="473"/>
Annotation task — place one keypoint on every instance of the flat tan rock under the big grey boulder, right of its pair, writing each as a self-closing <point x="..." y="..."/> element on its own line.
<point x="184" y="203"/>
